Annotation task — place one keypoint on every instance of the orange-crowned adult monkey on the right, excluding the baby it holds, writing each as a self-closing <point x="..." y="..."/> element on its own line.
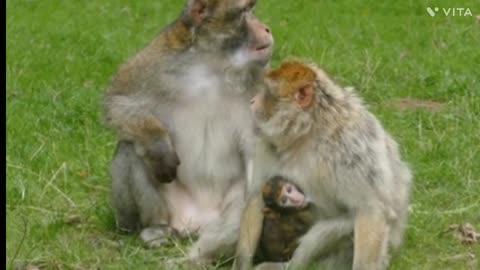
<point x="322" y="136"/>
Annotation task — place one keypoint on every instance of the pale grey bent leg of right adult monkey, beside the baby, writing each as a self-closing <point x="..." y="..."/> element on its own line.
<point x="319" y="239"/>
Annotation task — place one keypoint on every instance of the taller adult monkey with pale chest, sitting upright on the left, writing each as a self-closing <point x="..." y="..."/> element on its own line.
<point x="193" y="82"/>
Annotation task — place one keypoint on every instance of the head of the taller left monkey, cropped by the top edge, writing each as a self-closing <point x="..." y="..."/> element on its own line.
<point x="230" y="26"/>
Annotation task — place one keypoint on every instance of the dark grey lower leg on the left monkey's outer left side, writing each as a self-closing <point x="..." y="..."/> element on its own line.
<point x="123" y="202"/>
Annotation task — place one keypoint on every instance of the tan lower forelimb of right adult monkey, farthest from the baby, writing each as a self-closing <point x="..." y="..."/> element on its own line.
<point x="370" y="240"/>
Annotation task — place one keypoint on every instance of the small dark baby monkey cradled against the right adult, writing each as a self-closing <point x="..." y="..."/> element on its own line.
<point x="288" y="215"/>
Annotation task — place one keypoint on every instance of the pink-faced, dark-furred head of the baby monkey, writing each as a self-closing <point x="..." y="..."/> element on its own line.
<point x="280" y="193"/>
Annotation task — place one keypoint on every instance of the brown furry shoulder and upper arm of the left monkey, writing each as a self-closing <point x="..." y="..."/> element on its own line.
<point x="139" y="93"/>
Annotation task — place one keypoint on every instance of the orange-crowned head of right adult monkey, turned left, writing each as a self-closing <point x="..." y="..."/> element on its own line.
<point x="283" y="107"/>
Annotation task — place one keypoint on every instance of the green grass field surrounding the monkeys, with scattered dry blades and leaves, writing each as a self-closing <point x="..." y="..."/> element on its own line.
<point x="419" y="74"/>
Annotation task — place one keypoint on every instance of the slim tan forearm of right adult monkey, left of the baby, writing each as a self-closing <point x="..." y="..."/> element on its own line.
<point x="250" y="230"/>
